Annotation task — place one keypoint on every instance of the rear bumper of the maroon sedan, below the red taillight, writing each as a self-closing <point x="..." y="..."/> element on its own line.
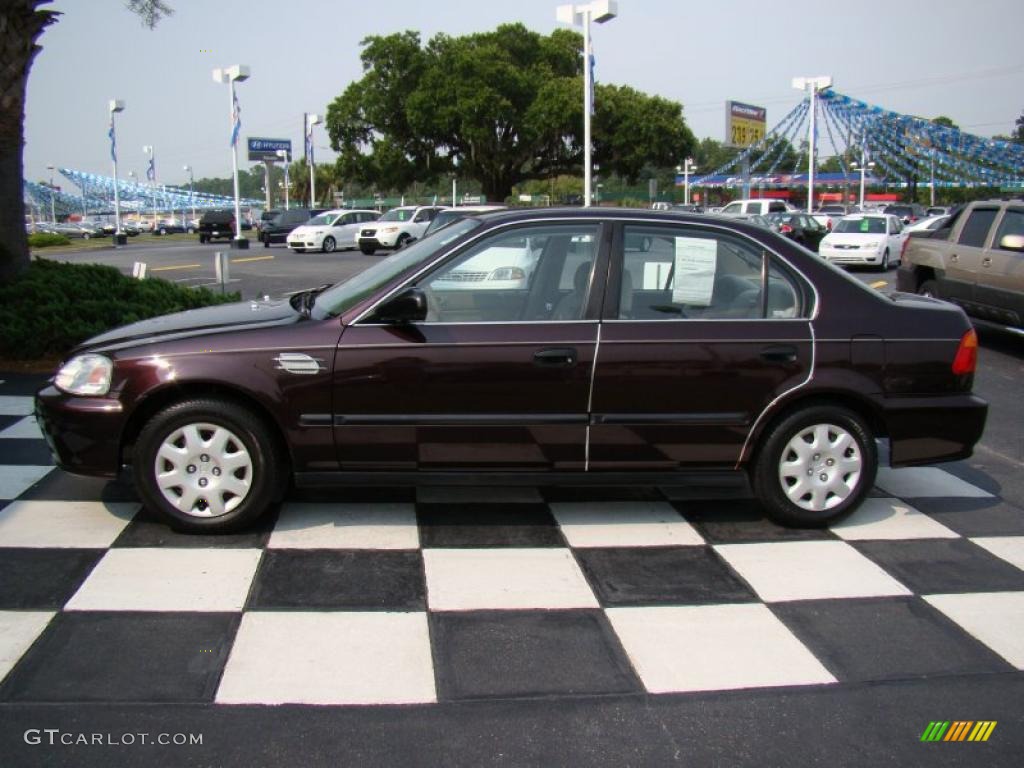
<point x="923" y="431"/>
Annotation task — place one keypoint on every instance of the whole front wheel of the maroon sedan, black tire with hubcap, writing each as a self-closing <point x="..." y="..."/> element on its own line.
<point x="207" y="465"/>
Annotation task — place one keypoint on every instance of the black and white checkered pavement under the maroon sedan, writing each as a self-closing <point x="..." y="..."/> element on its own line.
<point x="403" y="596"/>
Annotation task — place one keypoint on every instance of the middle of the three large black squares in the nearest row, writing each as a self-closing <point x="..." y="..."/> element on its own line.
<point x="528" y="654"/>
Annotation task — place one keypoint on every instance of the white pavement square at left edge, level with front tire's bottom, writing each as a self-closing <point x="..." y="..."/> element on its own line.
<point x="73" y="525"/>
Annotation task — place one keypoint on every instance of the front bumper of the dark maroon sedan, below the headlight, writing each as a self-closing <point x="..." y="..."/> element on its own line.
<point x="83" y="434"/>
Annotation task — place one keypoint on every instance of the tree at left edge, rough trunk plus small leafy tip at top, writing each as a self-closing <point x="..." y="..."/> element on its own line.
<point x="22" y="24"/>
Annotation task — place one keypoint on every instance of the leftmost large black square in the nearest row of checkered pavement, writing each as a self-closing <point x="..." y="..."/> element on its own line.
<point x="125" y="657"/>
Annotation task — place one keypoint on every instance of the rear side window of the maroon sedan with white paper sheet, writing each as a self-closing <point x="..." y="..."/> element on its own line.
<point x="672" y="274"/>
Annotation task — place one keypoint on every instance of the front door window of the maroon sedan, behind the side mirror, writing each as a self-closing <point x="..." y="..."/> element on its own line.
<point x="516" y="276"/>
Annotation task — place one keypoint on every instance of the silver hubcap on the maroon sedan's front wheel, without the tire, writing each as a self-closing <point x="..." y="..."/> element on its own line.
<point x="204" y="471"/>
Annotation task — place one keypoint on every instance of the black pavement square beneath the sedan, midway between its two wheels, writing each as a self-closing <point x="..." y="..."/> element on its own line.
<point x="482" y="526"/>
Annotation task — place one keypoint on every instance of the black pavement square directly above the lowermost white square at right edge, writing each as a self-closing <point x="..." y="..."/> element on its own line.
<point x="938" y="566"/>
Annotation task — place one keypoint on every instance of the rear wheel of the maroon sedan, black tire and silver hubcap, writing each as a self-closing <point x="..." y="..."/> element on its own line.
<point x="816" y="466"/>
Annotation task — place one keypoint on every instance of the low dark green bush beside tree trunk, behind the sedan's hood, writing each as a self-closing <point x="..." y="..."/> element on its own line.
<point x="54" y="307"/>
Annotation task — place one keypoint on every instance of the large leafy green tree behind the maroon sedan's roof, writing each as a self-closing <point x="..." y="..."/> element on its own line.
<point x="501" y="107"/>
